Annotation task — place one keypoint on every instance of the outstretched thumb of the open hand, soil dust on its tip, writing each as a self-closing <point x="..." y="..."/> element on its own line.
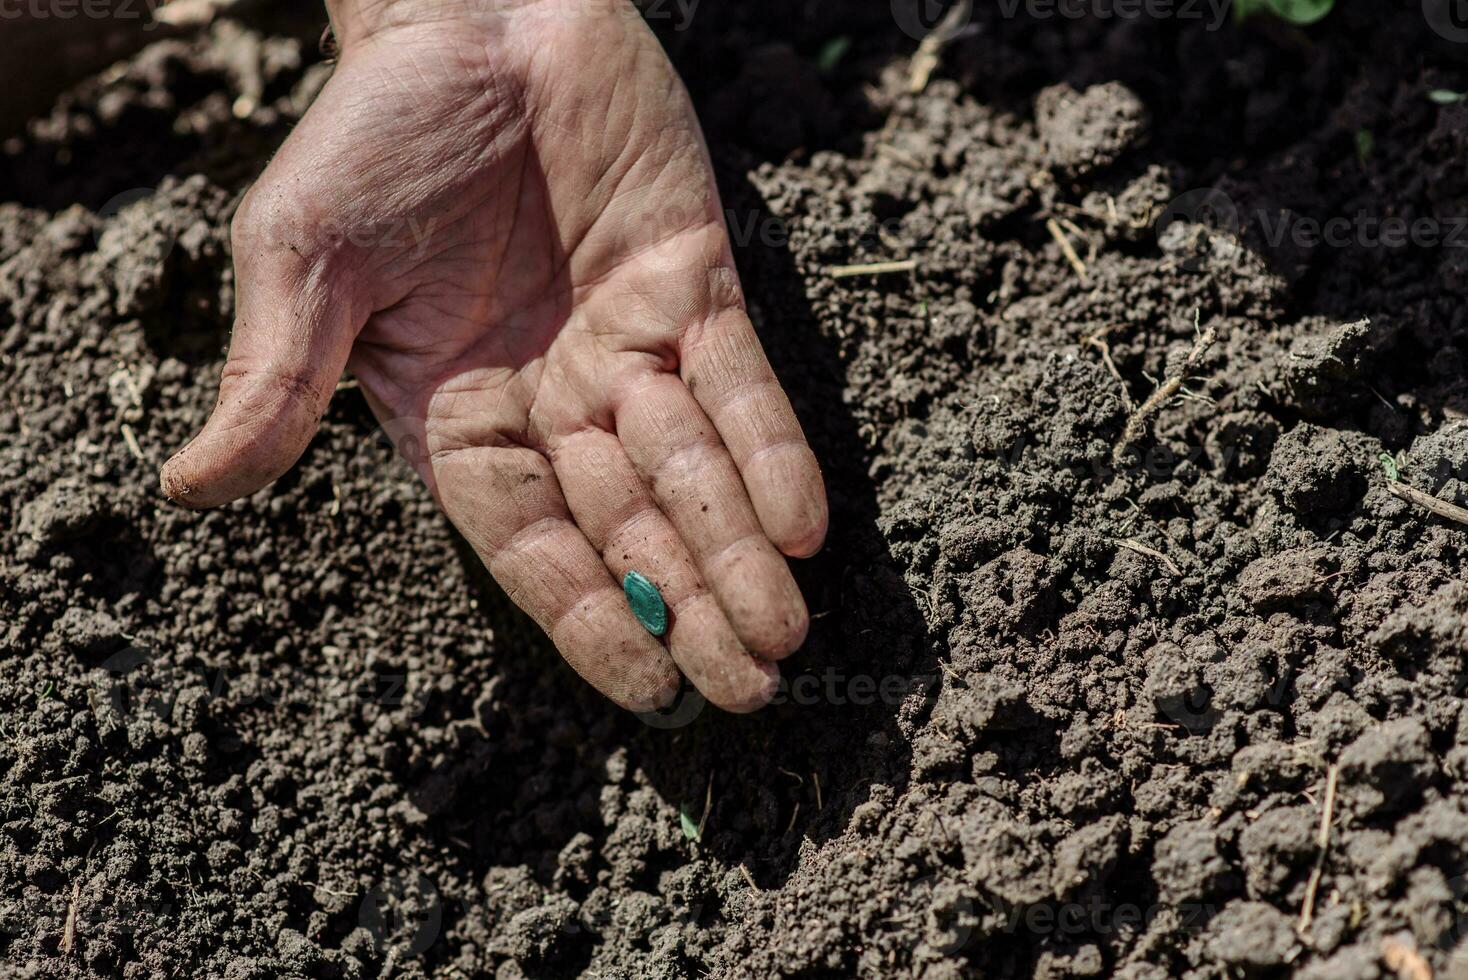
<point x="294" y="331"/>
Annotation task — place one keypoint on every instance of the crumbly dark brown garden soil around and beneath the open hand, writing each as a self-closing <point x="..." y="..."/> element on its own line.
<point x="1065" y="712"/>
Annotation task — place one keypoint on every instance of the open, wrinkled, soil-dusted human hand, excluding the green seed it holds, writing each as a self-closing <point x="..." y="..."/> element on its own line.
<point x="507" y="228"/>
